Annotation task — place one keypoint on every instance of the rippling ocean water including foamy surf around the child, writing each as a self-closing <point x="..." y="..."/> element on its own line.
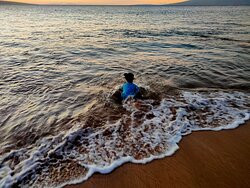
<point x="60" y="65"/>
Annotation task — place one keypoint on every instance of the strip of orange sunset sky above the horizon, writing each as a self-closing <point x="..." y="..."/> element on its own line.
<point x="99" y="2"/>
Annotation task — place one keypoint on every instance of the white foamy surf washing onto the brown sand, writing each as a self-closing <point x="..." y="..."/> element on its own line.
<point x="146" y="132"/>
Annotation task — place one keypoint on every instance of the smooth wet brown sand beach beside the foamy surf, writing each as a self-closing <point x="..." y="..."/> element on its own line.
<point x="205" y="159"/>
